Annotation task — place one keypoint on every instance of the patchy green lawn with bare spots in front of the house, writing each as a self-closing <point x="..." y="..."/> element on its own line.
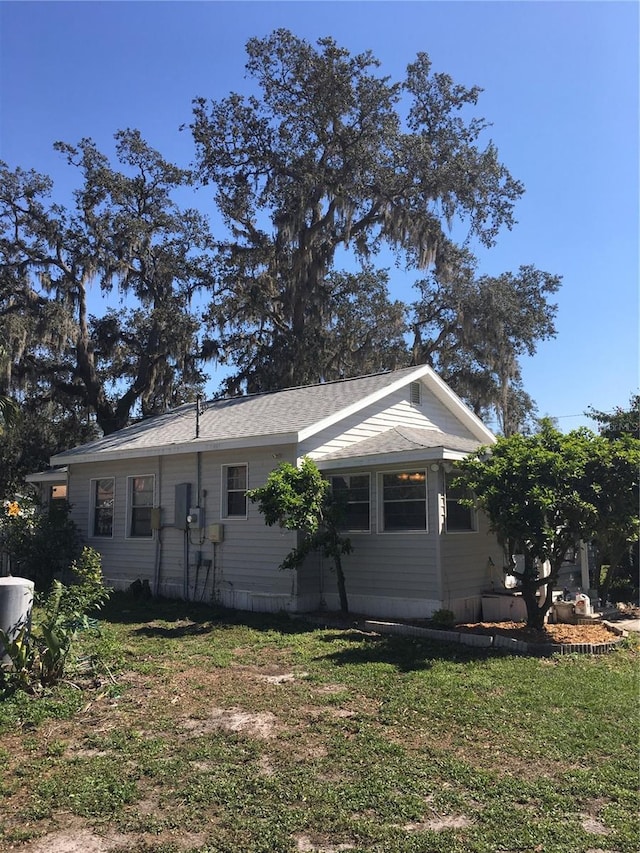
<point x="381" y="743"/>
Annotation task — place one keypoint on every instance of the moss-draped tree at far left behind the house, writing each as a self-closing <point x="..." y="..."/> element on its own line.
<point x="125" y="235"/>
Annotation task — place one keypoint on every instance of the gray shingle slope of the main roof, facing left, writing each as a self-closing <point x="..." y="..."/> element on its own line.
<point x="277" y="413"/>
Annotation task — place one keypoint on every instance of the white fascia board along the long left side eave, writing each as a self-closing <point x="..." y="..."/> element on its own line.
<point x="193" y="446"/>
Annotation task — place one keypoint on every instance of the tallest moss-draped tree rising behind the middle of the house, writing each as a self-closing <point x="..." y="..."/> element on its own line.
<point x="331" y="156"/>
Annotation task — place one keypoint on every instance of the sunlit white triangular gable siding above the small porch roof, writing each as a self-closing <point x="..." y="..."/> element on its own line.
<point x="393" y="410"/>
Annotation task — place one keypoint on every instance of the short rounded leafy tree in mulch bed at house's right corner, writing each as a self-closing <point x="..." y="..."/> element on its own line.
<point x="538" y="495"/>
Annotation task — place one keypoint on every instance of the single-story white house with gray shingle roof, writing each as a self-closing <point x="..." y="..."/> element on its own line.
<point x="164" y="500"/>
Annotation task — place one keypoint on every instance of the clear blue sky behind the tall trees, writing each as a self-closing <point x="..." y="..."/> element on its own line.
<point x="560" y="84"/>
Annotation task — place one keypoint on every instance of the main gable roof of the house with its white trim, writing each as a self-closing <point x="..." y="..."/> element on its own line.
<point x="277" y="417"/>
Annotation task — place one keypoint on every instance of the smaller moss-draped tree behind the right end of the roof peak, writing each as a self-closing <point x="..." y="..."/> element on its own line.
<point x="473" y="330"/>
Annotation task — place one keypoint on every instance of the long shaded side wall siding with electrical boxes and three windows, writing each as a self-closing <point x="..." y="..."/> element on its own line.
<point x="241" y="571"/>
